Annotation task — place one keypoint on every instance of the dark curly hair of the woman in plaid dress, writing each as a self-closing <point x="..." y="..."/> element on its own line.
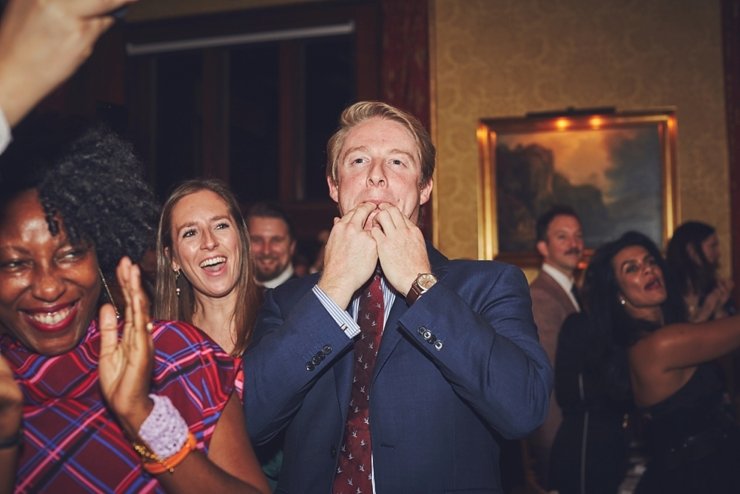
<point x="88" y="176"/>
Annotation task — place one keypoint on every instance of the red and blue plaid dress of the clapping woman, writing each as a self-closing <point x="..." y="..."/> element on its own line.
<point x="71" y="442"/>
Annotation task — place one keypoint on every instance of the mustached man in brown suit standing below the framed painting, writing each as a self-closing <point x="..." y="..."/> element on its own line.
<point x="554" y="298"/>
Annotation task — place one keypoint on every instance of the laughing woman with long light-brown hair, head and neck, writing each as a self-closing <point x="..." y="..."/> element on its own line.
<point x="204" y="264"/>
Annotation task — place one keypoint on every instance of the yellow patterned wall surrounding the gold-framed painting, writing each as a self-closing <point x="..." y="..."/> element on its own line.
<point x="494" y="58"/>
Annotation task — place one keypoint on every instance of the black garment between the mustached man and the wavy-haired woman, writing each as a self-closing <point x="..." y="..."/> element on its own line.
<point x="590" y="451"/>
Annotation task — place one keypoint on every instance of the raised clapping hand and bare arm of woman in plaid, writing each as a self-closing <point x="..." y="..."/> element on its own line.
<point x="125" y="369"/>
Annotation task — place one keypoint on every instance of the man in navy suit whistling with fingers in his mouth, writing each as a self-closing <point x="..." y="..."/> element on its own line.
<point x="459" y="365"/>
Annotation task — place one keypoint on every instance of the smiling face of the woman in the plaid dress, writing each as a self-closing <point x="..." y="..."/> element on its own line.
<point x="50" y="313"/>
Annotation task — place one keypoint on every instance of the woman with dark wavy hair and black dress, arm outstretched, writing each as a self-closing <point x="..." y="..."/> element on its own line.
<point x="692" y="440"/>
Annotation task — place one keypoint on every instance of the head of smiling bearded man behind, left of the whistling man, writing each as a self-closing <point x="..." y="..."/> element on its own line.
<point x="273" y="244"/>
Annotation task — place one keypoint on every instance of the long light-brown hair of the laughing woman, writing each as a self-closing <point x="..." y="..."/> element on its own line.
<point x="167" y="304"/>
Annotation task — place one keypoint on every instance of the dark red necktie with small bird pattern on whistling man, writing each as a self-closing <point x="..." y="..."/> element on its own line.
<point x="354" y="471"/>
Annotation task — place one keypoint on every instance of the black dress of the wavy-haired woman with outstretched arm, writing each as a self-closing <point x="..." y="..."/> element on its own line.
<point x="693" y="442"/>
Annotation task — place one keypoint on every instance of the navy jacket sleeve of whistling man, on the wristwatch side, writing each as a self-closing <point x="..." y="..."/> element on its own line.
<point x="490" y="354"/>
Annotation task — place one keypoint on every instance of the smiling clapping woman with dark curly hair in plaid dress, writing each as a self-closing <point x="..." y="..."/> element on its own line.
<point x="109" y="405"/>
